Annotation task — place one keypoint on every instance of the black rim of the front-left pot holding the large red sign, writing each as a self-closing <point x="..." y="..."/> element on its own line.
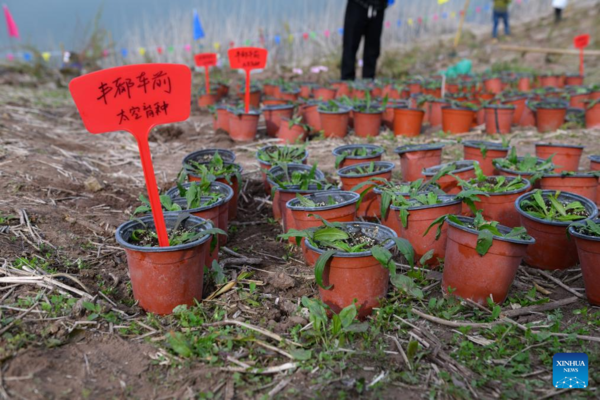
<point x="149" y="220"/>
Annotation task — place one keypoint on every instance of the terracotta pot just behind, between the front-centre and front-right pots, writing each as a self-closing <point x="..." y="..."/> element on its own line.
<point x="419" y="219"/>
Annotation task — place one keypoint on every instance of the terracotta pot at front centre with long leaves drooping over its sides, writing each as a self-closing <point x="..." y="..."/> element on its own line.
<point x="356" y="276"/>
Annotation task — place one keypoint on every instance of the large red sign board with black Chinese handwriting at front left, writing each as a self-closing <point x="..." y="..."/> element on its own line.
<point x="133" y="98"/>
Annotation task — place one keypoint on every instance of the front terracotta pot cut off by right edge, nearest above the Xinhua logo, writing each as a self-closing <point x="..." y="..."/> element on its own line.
<point x="588" y="249"/>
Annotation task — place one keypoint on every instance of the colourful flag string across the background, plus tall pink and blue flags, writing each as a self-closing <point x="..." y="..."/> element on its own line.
<point x="262" y="40"/>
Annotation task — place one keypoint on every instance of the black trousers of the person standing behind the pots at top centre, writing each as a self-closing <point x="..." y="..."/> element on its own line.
<point x="356" y="25"/>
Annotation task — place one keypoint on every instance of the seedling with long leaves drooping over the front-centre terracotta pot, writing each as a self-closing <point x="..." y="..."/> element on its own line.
<point x="335" y="237"/>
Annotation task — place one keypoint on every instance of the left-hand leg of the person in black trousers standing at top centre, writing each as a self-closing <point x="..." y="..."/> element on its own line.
<point x="355" y="22"/>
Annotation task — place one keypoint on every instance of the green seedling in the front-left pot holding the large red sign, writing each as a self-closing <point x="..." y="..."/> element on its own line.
<point x="147" y="237"/>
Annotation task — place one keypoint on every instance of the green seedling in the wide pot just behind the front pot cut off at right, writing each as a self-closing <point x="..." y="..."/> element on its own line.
<point x="551" y="208"/>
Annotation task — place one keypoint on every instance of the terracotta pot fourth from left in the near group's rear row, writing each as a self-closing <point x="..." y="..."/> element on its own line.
<point x="415" y="158"/>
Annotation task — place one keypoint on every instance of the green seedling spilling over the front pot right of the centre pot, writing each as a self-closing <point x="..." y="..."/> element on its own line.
<point x="487" y="230"/>
